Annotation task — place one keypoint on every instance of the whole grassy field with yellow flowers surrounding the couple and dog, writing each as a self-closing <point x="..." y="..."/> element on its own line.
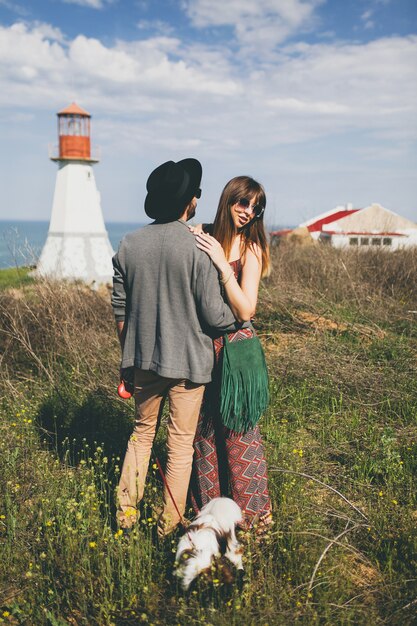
<point x="340" y="335"/>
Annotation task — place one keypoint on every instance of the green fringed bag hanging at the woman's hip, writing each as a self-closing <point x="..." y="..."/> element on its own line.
<point x="244" y="389"/>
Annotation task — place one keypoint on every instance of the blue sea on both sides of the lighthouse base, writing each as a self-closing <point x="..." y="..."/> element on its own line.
<point x="21" y="242"/>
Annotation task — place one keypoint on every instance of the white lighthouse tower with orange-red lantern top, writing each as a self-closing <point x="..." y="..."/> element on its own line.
<point x="77" y="247"/>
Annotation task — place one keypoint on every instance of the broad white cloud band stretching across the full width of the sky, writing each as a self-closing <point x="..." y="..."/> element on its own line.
<point x="162" y="92"/>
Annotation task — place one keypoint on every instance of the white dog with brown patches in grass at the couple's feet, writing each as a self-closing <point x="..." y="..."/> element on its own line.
<point x="210" y="535"/>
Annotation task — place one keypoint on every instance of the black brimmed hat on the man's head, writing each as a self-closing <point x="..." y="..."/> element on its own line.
<point x="171" y="186"/>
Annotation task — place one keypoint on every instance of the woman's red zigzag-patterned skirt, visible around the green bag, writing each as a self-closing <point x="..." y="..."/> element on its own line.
<point x="227" y="463"/>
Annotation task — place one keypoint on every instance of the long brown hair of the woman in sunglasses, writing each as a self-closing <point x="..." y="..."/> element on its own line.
<point x="224" y="229"/>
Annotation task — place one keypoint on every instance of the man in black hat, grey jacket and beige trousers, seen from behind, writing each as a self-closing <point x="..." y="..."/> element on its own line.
<point x="166" y="299"/>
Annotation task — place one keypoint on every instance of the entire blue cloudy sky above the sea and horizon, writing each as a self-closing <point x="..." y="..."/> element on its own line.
<point x="316" y="99"/>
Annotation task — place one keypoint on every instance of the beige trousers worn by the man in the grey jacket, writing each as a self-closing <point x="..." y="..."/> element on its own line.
<point x="185" y="400"/>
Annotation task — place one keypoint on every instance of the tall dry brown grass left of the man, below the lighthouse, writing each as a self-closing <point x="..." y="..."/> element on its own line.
<point x="48" y="325"/>
